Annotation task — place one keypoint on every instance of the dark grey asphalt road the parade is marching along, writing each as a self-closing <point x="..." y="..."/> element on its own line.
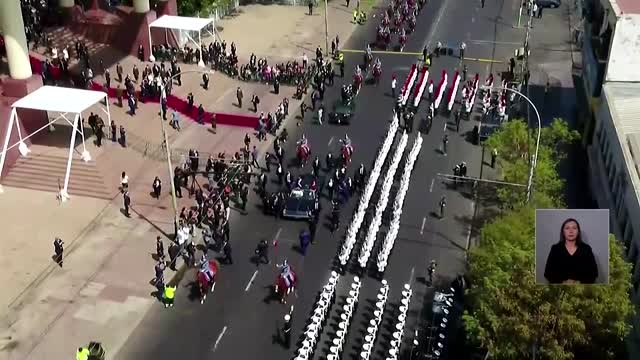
<point x="238" y="321"/>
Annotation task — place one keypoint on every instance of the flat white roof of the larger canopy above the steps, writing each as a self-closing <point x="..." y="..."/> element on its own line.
<point x="60" y="99"/>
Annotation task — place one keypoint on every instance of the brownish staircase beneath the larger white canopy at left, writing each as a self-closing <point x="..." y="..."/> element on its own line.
<point x="46" y="173"/>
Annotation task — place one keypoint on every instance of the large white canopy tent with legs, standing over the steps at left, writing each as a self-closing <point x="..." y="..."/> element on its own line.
<point x="65" y="102"/>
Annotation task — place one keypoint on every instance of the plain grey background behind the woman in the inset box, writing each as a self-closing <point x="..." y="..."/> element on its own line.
<point x="594" y="226"/>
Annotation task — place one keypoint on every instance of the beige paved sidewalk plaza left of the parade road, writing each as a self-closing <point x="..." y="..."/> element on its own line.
<point x="103" y="291"/>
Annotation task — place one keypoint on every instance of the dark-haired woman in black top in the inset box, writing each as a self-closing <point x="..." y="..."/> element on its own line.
<point x="571" y="261"/>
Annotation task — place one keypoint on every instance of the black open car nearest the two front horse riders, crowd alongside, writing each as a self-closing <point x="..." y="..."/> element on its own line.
<point x="302" y="202"/>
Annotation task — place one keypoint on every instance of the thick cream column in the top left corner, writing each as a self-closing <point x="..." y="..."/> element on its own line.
<point x="15" y="40"/>
